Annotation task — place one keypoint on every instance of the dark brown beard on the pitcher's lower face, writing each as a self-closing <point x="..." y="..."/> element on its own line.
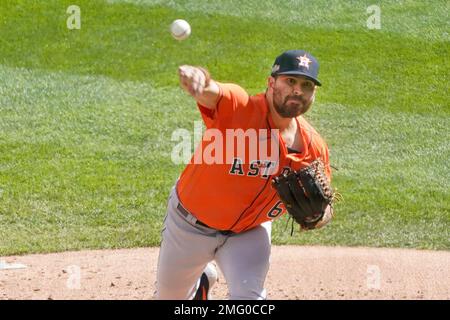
<point x="289" y="109"/>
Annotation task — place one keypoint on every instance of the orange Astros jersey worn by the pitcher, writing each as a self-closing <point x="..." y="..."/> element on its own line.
<point x="236" y="194"/>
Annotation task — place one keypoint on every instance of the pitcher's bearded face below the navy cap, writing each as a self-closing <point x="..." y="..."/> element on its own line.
<point x="292" y="95"/>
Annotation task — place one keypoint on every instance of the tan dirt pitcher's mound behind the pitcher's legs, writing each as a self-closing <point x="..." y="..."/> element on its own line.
<point x="296" y="272"/>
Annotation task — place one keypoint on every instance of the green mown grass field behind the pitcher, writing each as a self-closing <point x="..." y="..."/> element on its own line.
<point x="86" y="116"/>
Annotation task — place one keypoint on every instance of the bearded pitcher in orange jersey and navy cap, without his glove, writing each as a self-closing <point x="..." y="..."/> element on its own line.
<point x="222" y="211"/>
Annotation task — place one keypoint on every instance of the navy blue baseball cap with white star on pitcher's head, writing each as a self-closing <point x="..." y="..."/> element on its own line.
<point x="297" y="62"/>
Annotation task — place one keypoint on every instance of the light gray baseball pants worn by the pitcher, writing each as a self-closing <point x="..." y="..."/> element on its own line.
<point x="187" y="247"/>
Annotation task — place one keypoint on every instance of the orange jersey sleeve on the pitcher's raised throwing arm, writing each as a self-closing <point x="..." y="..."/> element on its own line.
<point x="231" y="98"/>
